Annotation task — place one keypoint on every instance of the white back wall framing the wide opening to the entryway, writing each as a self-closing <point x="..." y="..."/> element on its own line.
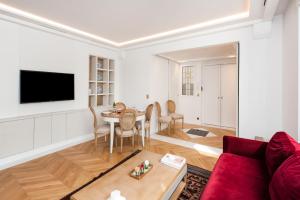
<point x="260" y="75"/>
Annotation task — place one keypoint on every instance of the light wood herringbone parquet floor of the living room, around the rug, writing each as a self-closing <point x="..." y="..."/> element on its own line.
<point x="55" y="175"/>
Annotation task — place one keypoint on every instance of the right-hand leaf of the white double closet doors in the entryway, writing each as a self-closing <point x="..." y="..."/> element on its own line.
<point x="228" y="83"/>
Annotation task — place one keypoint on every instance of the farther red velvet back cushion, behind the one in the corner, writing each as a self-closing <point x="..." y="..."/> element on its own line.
<point x="280" y="147"/>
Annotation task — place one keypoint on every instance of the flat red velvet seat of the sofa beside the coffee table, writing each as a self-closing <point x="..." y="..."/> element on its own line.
<point x="237" y="177"/>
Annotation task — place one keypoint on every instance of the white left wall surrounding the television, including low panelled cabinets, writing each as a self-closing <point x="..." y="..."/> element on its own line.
<point x="22" y="126"/>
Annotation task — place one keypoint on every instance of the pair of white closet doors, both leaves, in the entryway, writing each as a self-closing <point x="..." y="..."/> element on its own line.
<point x="220" y="95"/>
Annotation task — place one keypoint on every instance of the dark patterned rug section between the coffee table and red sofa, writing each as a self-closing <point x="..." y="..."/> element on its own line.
<point x="197" y="178"/>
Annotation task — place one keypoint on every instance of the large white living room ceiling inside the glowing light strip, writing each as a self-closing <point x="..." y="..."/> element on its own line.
<point x="120" y="20"/>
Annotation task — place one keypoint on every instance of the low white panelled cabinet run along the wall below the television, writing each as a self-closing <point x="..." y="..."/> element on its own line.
<point x="28" y="137"/>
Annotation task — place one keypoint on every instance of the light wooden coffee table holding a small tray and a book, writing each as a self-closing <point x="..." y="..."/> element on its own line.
<point x="160" y="183"/>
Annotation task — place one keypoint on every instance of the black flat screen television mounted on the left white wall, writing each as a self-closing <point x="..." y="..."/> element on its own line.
<point x="36" y="86"/>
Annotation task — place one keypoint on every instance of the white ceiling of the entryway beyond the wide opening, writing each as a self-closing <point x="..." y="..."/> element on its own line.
<point x="202" y="53"/>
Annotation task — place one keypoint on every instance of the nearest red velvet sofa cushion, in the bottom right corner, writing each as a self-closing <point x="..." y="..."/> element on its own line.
<point x="285" y="183"/>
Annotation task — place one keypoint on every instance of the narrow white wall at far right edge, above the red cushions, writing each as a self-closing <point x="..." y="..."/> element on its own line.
<point x="290" y="70"/>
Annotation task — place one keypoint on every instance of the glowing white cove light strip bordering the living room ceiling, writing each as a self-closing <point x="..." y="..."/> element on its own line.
<point x="49" y="23"/>
